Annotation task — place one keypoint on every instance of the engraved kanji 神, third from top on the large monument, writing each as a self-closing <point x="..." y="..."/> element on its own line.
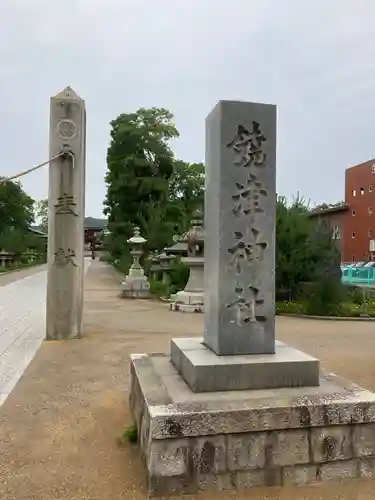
<point x="244" y="253"/>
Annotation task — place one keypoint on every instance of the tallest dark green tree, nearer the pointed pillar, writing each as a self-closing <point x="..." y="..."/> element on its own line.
<point x="140" y="165"/>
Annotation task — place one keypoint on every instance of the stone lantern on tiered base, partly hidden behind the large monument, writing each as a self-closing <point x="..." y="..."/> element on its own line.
<point x="191" y="299"/>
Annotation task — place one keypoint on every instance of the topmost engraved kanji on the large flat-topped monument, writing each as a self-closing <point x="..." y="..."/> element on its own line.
<point x="248" y="146"/>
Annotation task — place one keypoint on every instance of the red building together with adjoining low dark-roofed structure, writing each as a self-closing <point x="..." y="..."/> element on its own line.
<point x="353" y="221"/>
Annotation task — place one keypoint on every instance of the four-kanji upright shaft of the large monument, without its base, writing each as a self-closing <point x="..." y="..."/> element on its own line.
<point x="240" y="204"/>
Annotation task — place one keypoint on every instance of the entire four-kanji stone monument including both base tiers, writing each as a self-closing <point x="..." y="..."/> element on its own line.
<point x="236" y="408"/>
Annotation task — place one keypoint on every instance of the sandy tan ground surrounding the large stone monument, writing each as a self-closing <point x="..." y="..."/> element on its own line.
<point x="59" y="426"/>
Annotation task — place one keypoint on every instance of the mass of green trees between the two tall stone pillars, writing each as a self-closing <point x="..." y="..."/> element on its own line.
<point x="146" y="185"/>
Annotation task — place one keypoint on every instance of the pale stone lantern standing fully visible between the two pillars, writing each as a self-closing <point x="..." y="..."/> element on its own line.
<point x="136" y="285"/>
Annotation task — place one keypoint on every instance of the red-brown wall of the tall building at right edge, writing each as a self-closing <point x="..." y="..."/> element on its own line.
<point x="360" y="221"/>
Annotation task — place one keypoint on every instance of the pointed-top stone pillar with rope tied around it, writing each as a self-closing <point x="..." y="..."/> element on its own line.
<point x="66" y="213"/>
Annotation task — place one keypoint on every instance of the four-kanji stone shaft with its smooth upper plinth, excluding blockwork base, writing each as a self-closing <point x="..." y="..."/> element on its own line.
<point x="238" y="350"/>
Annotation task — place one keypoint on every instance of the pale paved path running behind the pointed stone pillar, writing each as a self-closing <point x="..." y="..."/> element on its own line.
<point x="22" y="325"/>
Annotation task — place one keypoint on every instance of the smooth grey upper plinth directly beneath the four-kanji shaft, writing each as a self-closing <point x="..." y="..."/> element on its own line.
<point x="204" y="371"/>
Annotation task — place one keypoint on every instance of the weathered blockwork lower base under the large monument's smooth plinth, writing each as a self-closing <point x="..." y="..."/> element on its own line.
<point x="235" y="440"/>
